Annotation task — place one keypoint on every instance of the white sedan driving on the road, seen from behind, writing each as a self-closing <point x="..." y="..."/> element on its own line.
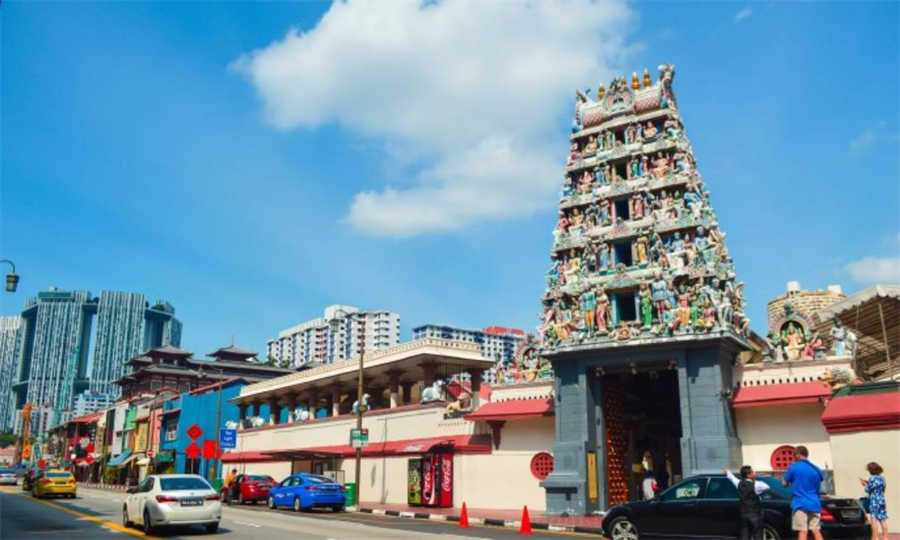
<point x="172" y="499"/>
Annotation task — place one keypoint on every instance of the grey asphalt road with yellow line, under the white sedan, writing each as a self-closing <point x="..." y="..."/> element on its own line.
<point x="96" y="514"/>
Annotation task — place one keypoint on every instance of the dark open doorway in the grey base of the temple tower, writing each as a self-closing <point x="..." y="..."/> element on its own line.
<point x="643" y="432"/>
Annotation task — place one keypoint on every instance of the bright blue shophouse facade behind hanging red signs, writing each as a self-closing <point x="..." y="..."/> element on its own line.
<point x="199" y="407"/>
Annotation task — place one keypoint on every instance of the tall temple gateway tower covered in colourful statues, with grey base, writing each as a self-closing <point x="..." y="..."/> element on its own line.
<point x="642" y="317"/>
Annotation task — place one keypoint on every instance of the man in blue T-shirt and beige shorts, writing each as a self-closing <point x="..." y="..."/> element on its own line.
<point x="806" y="506"/>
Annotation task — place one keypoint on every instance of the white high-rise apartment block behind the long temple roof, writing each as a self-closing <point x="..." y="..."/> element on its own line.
<point x="341" y="333"/>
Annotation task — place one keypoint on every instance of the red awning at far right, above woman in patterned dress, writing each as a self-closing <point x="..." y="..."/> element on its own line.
<point x="864" y="412"/>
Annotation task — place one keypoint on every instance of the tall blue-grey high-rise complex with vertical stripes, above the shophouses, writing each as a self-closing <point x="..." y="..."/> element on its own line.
<point x="56" y="334"/>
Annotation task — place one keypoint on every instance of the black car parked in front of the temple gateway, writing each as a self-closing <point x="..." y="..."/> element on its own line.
<point x="706" y="506"/>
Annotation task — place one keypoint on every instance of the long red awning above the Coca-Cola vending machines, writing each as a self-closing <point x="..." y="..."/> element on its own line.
<point x="470" y="444"/>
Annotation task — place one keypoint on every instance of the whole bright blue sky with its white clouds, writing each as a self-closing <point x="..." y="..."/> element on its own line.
<point x="408" y="159"/>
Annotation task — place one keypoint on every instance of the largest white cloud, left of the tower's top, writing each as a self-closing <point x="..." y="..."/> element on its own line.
<point x="470" y="93"/>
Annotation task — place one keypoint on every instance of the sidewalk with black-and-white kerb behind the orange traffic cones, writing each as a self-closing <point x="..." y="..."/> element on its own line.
<point x="489" y="516"/>
